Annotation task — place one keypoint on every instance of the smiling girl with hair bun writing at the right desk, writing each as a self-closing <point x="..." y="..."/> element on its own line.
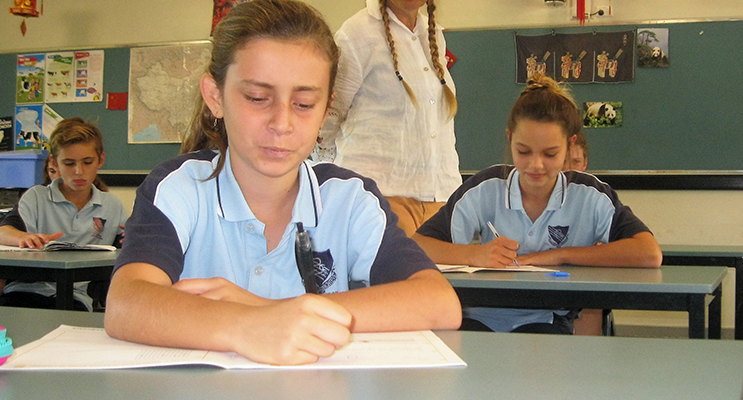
<point x="544" y="216"/>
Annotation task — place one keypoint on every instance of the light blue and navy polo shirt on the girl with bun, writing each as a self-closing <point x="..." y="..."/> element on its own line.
<point x="581" y="211"/>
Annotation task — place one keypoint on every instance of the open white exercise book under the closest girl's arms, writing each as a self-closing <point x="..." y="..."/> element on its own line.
<point x="70" y="347"/>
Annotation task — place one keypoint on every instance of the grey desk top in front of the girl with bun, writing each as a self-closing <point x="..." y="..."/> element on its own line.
<point x="667" y="279"/>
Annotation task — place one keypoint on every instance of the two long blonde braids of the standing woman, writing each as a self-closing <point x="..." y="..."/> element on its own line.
<point x="451" y="99"/>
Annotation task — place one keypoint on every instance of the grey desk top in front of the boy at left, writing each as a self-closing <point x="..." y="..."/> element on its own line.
<point x="58" y="259"/>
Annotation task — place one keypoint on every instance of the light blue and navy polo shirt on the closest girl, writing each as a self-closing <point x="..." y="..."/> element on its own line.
<point x="194" y="227"/>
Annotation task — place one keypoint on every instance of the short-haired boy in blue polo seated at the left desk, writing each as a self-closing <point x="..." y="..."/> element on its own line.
<point x="71" y="208"/>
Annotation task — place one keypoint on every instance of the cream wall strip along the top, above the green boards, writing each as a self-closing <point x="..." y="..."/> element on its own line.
<point x="107" y="23"/>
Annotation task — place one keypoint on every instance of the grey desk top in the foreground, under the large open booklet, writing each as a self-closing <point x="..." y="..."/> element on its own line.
<point x="500" y="365"/>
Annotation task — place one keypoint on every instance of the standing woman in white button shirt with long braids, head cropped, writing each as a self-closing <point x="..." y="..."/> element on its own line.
<point x="392" y="119"/>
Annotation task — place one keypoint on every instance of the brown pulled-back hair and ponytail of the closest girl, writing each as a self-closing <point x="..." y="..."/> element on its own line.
<point x="287" y="20"/>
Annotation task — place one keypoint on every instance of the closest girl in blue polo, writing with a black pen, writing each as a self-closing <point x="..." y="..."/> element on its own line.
<point x="210" y="261"/>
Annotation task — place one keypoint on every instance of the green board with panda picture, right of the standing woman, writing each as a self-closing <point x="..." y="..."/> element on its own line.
<point x="684" y="117"/>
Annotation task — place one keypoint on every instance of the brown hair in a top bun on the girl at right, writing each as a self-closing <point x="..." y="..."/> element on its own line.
<point x="544" y="100"/>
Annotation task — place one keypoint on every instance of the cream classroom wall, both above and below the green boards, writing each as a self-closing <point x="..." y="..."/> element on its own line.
<point x="676" y="217"/>
